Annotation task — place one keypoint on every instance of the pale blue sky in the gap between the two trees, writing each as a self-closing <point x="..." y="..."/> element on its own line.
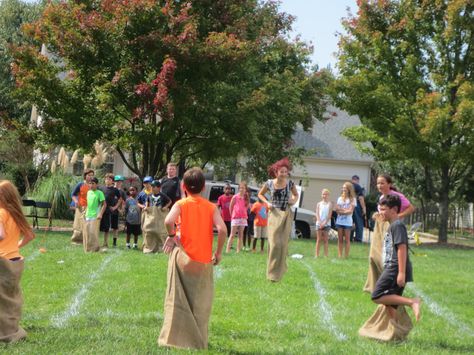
<point x="317" y="21"/>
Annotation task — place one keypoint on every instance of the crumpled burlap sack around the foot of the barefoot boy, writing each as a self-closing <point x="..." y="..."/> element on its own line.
<point x="381" y="326"/>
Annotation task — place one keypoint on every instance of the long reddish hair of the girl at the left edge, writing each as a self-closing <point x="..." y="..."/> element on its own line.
<point x="10" y="200"/>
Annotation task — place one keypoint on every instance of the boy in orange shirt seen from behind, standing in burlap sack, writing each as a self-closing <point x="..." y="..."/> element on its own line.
<point x="190" y="288"/>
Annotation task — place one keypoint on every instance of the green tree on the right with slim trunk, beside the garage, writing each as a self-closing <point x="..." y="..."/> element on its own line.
<point x="406" y="68"/>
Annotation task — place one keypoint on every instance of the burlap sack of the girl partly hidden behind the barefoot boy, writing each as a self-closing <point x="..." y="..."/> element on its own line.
<point x="375" y="255"/>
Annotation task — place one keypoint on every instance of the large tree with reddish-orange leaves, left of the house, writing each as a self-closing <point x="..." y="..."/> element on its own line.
<point x="170" y="80"/>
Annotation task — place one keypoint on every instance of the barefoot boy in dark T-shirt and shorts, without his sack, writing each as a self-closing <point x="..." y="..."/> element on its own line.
<point x="397" y="267"/>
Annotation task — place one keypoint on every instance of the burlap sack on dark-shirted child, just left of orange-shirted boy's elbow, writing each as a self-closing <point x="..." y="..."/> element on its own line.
<point x="153" y="229"/>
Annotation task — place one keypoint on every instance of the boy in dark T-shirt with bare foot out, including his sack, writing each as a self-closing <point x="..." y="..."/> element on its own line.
<point x="390" y="322"/>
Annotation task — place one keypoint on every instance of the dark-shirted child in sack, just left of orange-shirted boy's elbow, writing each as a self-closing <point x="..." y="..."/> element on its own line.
<point x="153" y="219"/>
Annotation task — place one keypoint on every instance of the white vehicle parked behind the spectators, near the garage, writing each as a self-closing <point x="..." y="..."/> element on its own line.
<point x="304" y="219"/>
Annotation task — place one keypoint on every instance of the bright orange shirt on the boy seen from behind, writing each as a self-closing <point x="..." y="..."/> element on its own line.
<point x="196" y="221"/>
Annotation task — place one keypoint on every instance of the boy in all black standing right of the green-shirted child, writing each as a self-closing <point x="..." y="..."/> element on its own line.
<point x="113" y="200"/>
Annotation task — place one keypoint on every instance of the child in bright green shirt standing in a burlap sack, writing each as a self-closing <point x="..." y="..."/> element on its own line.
<point x="96" y="207"/>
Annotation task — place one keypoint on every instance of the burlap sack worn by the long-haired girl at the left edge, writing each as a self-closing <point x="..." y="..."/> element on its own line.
<point x="11" y="300"/>
